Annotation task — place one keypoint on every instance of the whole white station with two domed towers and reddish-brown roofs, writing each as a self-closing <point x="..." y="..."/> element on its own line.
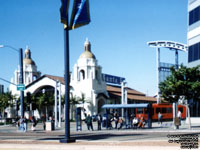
<point x="87" y="81"/>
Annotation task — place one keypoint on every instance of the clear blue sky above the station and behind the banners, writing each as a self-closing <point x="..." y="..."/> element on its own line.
<point x="118" y="32"/>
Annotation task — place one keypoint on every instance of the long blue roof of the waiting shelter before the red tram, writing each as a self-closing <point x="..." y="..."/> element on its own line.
<point x="116" y="106"/>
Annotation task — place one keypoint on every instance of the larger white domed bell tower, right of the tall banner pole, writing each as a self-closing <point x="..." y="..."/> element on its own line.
<point x="87" y="79"/>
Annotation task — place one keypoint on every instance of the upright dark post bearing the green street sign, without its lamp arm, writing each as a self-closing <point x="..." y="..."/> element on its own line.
<point x="21" y="81"/>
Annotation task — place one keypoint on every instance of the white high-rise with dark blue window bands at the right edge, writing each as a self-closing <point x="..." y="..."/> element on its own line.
<point x="193" y="33"/>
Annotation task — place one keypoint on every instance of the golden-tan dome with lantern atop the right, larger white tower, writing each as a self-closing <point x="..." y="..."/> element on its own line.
<point x="87" y="53"/>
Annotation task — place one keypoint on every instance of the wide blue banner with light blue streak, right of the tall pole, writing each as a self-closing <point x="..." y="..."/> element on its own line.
<point x="80" y="14"/>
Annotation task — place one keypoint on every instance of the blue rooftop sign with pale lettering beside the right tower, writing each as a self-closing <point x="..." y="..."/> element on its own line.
<point x="112" y="79"/>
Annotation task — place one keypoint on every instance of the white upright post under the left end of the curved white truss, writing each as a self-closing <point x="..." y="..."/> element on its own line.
<point x="158" y="75"/>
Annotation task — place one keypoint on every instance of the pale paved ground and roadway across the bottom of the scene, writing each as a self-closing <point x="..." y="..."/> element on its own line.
<point x="155" y="138"/>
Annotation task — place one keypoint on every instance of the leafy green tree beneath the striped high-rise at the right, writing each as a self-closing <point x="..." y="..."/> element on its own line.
<point x="182" y="82"/>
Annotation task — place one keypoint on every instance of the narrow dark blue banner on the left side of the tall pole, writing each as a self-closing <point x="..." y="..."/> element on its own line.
<point x="64" y="12"/>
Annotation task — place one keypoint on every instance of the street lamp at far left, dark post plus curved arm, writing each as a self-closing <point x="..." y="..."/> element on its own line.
<point x="21" y="79"/>
